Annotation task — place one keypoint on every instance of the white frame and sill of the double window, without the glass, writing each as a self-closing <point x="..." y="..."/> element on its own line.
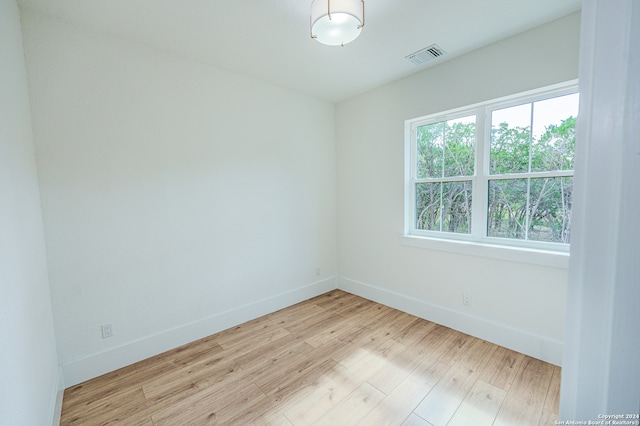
<point x="477" y="242"/>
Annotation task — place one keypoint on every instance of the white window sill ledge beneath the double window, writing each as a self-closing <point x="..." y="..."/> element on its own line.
<point x="554" y="259"/>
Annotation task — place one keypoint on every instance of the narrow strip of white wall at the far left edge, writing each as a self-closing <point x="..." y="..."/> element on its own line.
<point x="28" y="363"/>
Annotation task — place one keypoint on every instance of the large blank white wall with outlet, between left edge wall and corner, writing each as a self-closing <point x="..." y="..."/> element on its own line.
<point x="179" y="199"/>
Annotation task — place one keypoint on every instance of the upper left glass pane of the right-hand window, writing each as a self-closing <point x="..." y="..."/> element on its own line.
<point x="510" y="140"/>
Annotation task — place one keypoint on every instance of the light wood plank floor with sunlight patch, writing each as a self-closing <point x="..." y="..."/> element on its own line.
<point x="336" y="359"/>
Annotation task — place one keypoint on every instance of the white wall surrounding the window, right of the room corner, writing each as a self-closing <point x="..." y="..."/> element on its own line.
<point x="517" y="305"/>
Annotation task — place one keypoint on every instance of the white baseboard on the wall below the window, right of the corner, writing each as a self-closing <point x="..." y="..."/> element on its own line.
<point x="521" y="341"/>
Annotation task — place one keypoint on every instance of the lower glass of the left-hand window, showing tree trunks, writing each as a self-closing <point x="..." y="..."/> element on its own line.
<point x="444" y="206"/>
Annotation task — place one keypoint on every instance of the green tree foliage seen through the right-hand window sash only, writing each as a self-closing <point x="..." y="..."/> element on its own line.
<point x="543" y="204"/>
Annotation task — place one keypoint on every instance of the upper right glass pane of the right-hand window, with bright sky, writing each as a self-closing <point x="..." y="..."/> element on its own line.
<point x="554" y="123"/>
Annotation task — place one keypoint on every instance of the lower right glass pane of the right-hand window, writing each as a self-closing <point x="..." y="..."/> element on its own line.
<point x="550" y="209"/>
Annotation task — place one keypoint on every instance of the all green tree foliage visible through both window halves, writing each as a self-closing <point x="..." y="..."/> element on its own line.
<point x="524" y="208"/>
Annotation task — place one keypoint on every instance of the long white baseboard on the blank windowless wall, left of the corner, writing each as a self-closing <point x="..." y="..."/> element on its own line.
<point x="112" y="359"/>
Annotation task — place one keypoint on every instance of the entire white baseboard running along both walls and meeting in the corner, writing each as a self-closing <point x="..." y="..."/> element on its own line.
<point x="522" y="341"/>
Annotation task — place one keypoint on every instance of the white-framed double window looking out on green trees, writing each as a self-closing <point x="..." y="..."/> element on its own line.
<point x="500" y="172"/>
